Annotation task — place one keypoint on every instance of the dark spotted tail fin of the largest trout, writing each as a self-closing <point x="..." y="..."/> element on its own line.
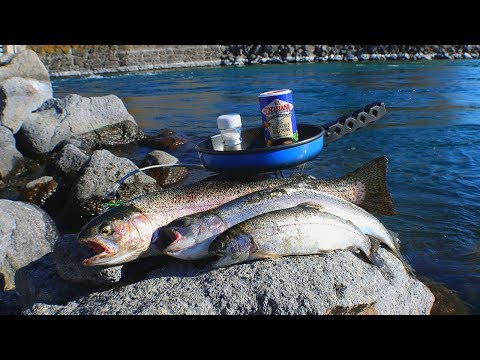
<point x="373" y="175"/>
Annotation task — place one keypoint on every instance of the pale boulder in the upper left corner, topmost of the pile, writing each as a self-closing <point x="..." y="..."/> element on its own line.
<point x="24" y="86"/>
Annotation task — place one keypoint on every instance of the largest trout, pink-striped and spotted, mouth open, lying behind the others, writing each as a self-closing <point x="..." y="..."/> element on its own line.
<point x="133" y="229"/>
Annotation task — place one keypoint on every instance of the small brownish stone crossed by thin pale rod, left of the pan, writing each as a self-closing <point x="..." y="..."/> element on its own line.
<point x="164" y="176"/>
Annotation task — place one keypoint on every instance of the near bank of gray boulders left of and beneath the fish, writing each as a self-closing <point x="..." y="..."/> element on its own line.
<point x="64" y="148"/>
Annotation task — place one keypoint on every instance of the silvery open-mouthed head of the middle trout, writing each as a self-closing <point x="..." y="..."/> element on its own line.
<point x="190" y="235"/>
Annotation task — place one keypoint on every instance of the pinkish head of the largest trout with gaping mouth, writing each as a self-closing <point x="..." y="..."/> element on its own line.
<point x="119" y="235"/>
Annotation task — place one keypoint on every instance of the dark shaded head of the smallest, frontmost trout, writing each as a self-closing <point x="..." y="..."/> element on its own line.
<point x="231" y="247"/>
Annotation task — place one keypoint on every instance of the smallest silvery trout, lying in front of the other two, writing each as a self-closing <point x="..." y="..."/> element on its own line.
<point x="300" y="230"/>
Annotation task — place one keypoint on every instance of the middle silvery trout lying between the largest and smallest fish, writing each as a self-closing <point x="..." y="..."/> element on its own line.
<point x="191" y="235"/>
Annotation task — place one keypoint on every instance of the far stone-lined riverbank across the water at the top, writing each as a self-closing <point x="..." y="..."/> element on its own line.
<point x="79" y="60"/>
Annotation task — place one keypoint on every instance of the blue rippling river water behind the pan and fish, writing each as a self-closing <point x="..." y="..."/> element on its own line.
<point x="431" y="135"/>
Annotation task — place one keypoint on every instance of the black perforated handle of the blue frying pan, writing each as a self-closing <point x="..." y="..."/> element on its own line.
<point x="356" y="120"/>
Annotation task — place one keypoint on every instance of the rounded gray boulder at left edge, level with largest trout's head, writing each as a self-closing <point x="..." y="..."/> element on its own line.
<point x="27" y="233"/>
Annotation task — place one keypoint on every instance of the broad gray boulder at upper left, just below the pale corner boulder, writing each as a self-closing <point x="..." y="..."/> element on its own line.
<point x="61" y="118"/>
